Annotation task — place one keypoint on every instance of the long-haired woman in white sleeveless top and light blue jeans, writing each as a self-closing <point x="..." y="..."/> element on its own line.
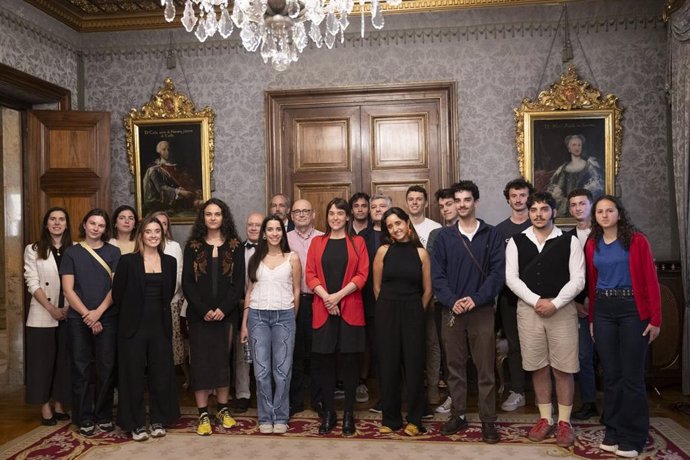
<point x="269" y="322"/>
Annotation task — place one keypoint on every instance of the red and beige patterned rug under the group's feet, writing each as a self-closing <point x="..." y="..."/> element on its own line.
<point x="667" y="440"/>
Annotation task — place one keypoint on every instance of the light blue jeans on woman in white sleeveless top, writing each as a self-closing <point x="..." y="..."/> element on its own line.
<point x="272" y="338"/>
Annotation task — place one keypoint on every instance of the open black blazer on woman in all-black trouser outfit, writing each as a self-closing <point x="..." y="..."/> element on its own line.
<point x="128" y="292"/>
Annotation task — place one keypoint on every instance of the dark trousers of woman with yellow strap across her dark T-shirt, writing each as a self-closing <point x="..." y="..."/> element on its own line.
<point x="100" y="351"/>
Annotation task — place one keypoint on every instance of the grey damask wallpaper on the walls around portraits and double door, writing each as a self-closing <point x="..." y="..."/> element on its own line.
<point x="496" y="56"/>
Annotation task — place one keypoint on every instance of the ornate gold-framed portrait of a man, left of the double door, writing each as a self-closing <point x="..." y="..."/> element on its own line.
<point x="176" y="177"/>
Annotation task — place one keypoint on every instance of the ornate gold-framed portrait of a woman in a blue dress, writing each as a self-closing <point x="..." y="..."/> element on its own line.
<point x="570" y="137"/>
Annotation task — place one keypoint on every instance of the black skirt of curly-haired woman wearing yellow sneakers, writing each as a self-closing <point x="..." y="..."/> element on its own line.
<point x="209" y="351"/>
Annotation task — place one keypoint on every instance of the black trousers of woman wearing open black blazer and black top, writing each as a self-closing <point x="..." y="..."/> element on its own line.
<point x="146" y="360"/>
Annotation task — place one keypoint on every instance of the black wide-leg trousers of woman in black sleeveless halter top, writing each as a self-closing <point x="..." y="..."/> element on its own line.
<point x="402" y="348"/>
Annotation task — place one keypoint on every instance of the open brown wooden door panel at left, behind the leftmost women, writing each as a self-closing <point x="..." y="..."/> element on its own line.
<point x="67" y="164"/>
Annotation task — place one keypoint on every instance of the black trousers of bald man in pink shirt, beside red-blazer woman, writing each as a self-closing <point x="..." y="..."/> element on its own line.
<point x="304" y="367"/>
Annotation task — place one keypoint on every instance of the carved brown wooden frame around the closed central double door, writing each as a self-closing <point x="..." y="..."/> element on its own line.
<point x="277" y="101"/>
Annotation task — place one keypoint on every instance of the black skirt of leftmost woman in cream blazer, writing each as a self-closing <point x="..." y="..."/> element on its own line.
<point x="47" y="365"/>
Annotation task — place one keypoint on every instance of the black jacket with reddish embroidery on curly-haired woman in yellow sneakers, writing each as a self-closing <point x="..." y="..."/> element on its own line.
<point x="196" y="280"/>
